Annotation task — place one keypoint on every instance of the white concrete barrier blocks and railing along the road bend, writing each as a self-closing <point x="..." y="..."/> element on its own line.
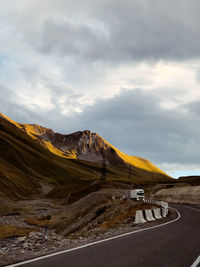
<point x="149" y="215"/>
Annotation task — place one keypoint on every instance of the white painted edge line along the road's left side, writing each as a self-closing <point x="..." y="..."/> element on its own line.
<point x="94" y="243"/>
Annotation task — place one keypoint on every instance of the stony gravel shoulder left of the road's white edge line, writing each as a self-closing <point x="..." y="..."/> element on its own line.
<point x="35" y="244"/>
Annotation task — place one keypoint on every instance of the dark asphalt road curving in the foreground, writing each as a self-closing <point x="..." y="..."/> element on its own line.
<point x="172" y="245"/>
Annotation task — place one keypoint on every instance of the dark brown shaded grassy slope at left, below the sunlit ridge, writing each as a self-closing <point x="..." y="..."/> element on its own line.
<point x="24" y="163"/>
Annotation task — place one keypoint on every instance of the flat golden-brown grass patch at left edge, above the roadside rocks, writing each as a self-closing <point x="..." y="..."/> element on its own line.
<point x="10" y="231"/>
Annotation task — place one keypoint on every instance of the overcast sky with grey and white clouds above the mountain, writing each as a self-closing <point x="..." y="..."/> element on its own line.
<point x="128" y="70"/>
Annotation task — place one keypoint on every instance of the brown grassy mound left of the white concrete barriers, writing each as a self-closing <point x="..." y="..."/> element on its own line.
<point x="94" y="213"/>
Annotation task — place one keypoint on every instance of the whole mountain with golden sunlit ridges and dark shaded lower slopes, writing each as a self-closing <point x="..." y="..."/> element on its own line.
<point x="33" y="157"/>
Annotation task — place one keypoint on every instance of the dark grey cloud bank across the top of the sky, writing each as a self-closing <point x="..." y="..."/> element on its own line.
<point x="120" y="31"/>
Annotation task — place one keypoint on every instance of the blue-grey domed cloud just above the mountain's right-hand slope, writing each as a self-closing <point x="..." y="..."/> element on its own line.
<point x="135" y="121"/>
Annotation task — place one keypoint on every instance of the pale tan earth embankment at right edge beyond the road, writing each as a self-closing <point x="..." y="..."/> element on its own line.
<point x="188" y="195"/>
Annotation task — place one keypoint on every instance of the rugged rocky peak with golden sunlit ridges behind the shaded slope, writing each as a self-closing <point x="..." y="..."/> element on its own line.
<point x="85" y="145"/>
